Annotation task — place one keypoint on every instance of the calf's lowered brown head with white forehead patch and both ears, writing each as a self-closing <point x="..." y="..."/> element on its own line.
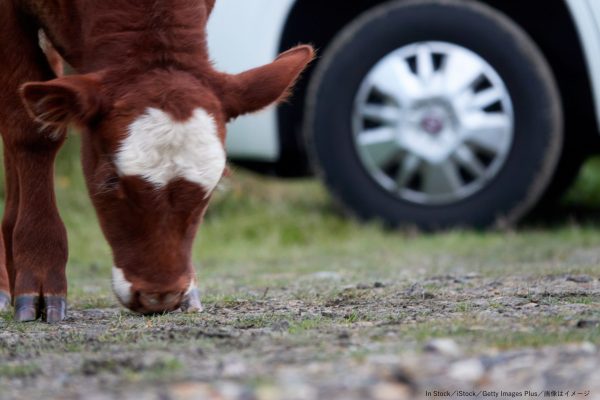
<point x="153" y="152"/>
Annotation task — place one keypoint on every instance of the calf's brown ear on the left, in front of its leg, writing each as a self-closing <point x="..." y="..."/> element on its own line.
<point x="63" y="101"/>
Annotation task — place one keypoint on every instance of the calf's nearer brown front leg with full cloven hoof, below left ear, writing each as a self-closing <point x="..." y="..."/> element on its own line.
<point x="39" y="239"/>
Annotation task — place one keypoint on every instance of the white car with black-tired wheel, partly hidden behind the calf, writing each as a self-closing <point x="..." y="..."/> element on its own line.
<point x="433" y="114"/>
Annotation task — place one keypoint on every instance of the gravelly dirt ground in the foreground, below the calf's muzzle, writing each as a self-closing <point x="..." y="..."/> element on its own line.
<point x="462" y="336"/>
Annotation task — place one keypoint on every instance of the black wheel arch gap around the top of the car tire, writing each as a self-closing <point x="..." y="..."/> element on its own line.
<point x="310" y="22"/>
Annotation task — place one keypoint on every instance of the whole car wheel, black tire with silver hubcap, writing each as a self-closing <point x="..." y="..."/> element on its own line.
<point x="344" y="155"/>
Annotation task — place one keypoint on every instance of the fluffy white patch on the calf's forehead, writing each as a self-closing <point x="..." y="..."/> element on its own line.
<point x="160" y="149"/>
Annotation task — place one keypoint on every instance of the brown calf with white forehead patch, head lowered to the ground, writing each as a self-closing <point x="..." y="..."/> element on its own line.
<point x="152" y="113"/>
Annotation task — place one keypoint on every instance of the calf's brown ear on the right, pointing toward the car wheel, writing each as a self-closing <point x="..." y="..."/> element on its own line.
<point x="256" y="89"/>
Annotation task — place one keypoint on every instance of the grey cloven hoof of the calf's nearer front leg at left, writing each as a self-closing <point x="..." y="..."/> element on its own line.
<point x="51" y="309"/>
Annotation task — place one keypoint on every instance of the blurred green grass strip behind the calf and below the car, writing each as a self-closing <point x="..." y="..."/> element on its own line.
<point x="266" y="232"/>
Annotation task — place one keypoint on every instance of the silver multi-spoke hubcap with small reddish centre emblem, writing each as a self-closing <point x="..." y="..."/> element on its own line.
<point x="433" y="123"/>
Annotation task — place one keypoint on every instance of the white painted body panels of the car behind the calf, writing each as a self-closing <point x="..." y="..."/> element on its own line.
<point x="246" y="34"/>
